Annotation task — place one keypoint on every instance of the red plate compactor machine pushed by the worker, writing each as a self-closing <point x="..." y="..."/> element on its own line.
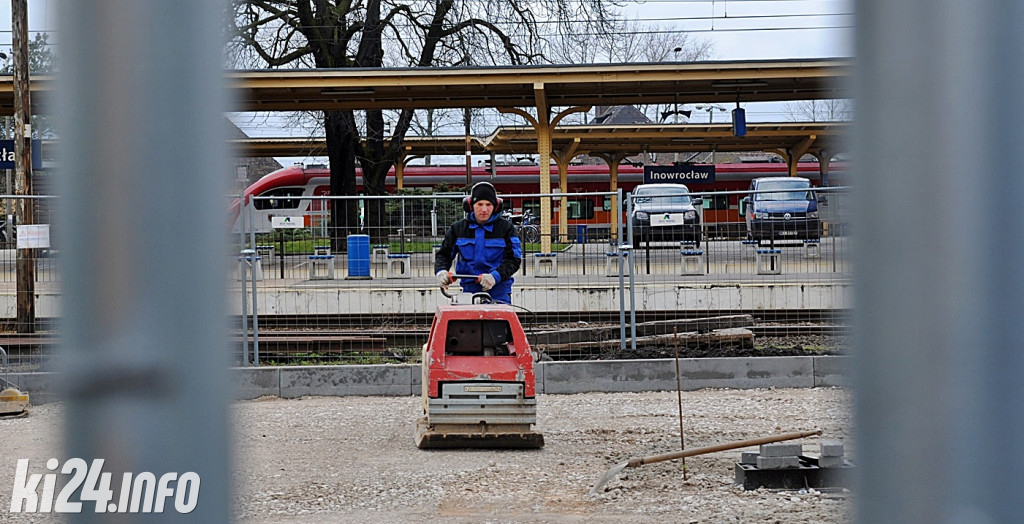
<point x="479" y="384"/>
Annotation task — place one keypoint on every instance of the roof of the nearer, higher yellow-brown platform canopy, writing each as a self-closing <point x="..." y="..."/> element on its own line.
<point x="525" y="86"/>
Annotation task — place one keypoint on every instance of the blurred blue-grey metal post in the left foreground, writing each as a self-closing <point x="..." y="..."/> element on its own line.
<point x="144" y="173"/>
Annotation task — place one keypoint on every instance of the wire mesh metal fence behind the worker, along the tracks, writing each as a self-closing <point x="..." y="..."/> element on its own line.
<point x="593" y="293"/>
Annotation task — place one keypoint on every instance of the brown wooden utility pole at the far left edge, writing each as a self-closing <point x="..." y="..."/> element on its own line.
<point x="26" y="265"/>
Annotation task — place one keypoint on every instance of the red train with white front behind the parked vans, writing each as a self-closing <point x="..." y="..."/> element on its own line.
<point x="294" y="189"/>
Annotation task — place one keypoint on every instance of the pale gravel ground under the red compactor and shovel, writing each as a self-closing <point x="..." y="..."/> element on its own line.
<point x="354" y="460"/>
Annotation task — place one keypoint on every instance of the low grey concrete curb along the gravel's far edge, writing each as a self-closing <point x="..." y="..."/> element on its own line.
<point x="552" y="378"/>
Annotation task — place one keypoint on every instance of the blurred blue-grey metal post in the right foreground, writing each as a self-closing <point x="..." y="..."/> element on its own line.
<point x="941" y="249"/>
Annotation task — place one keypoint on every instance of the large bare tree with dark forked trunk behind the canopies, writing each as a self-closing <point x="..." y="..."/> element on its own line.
<point x="332" y="34"/>
